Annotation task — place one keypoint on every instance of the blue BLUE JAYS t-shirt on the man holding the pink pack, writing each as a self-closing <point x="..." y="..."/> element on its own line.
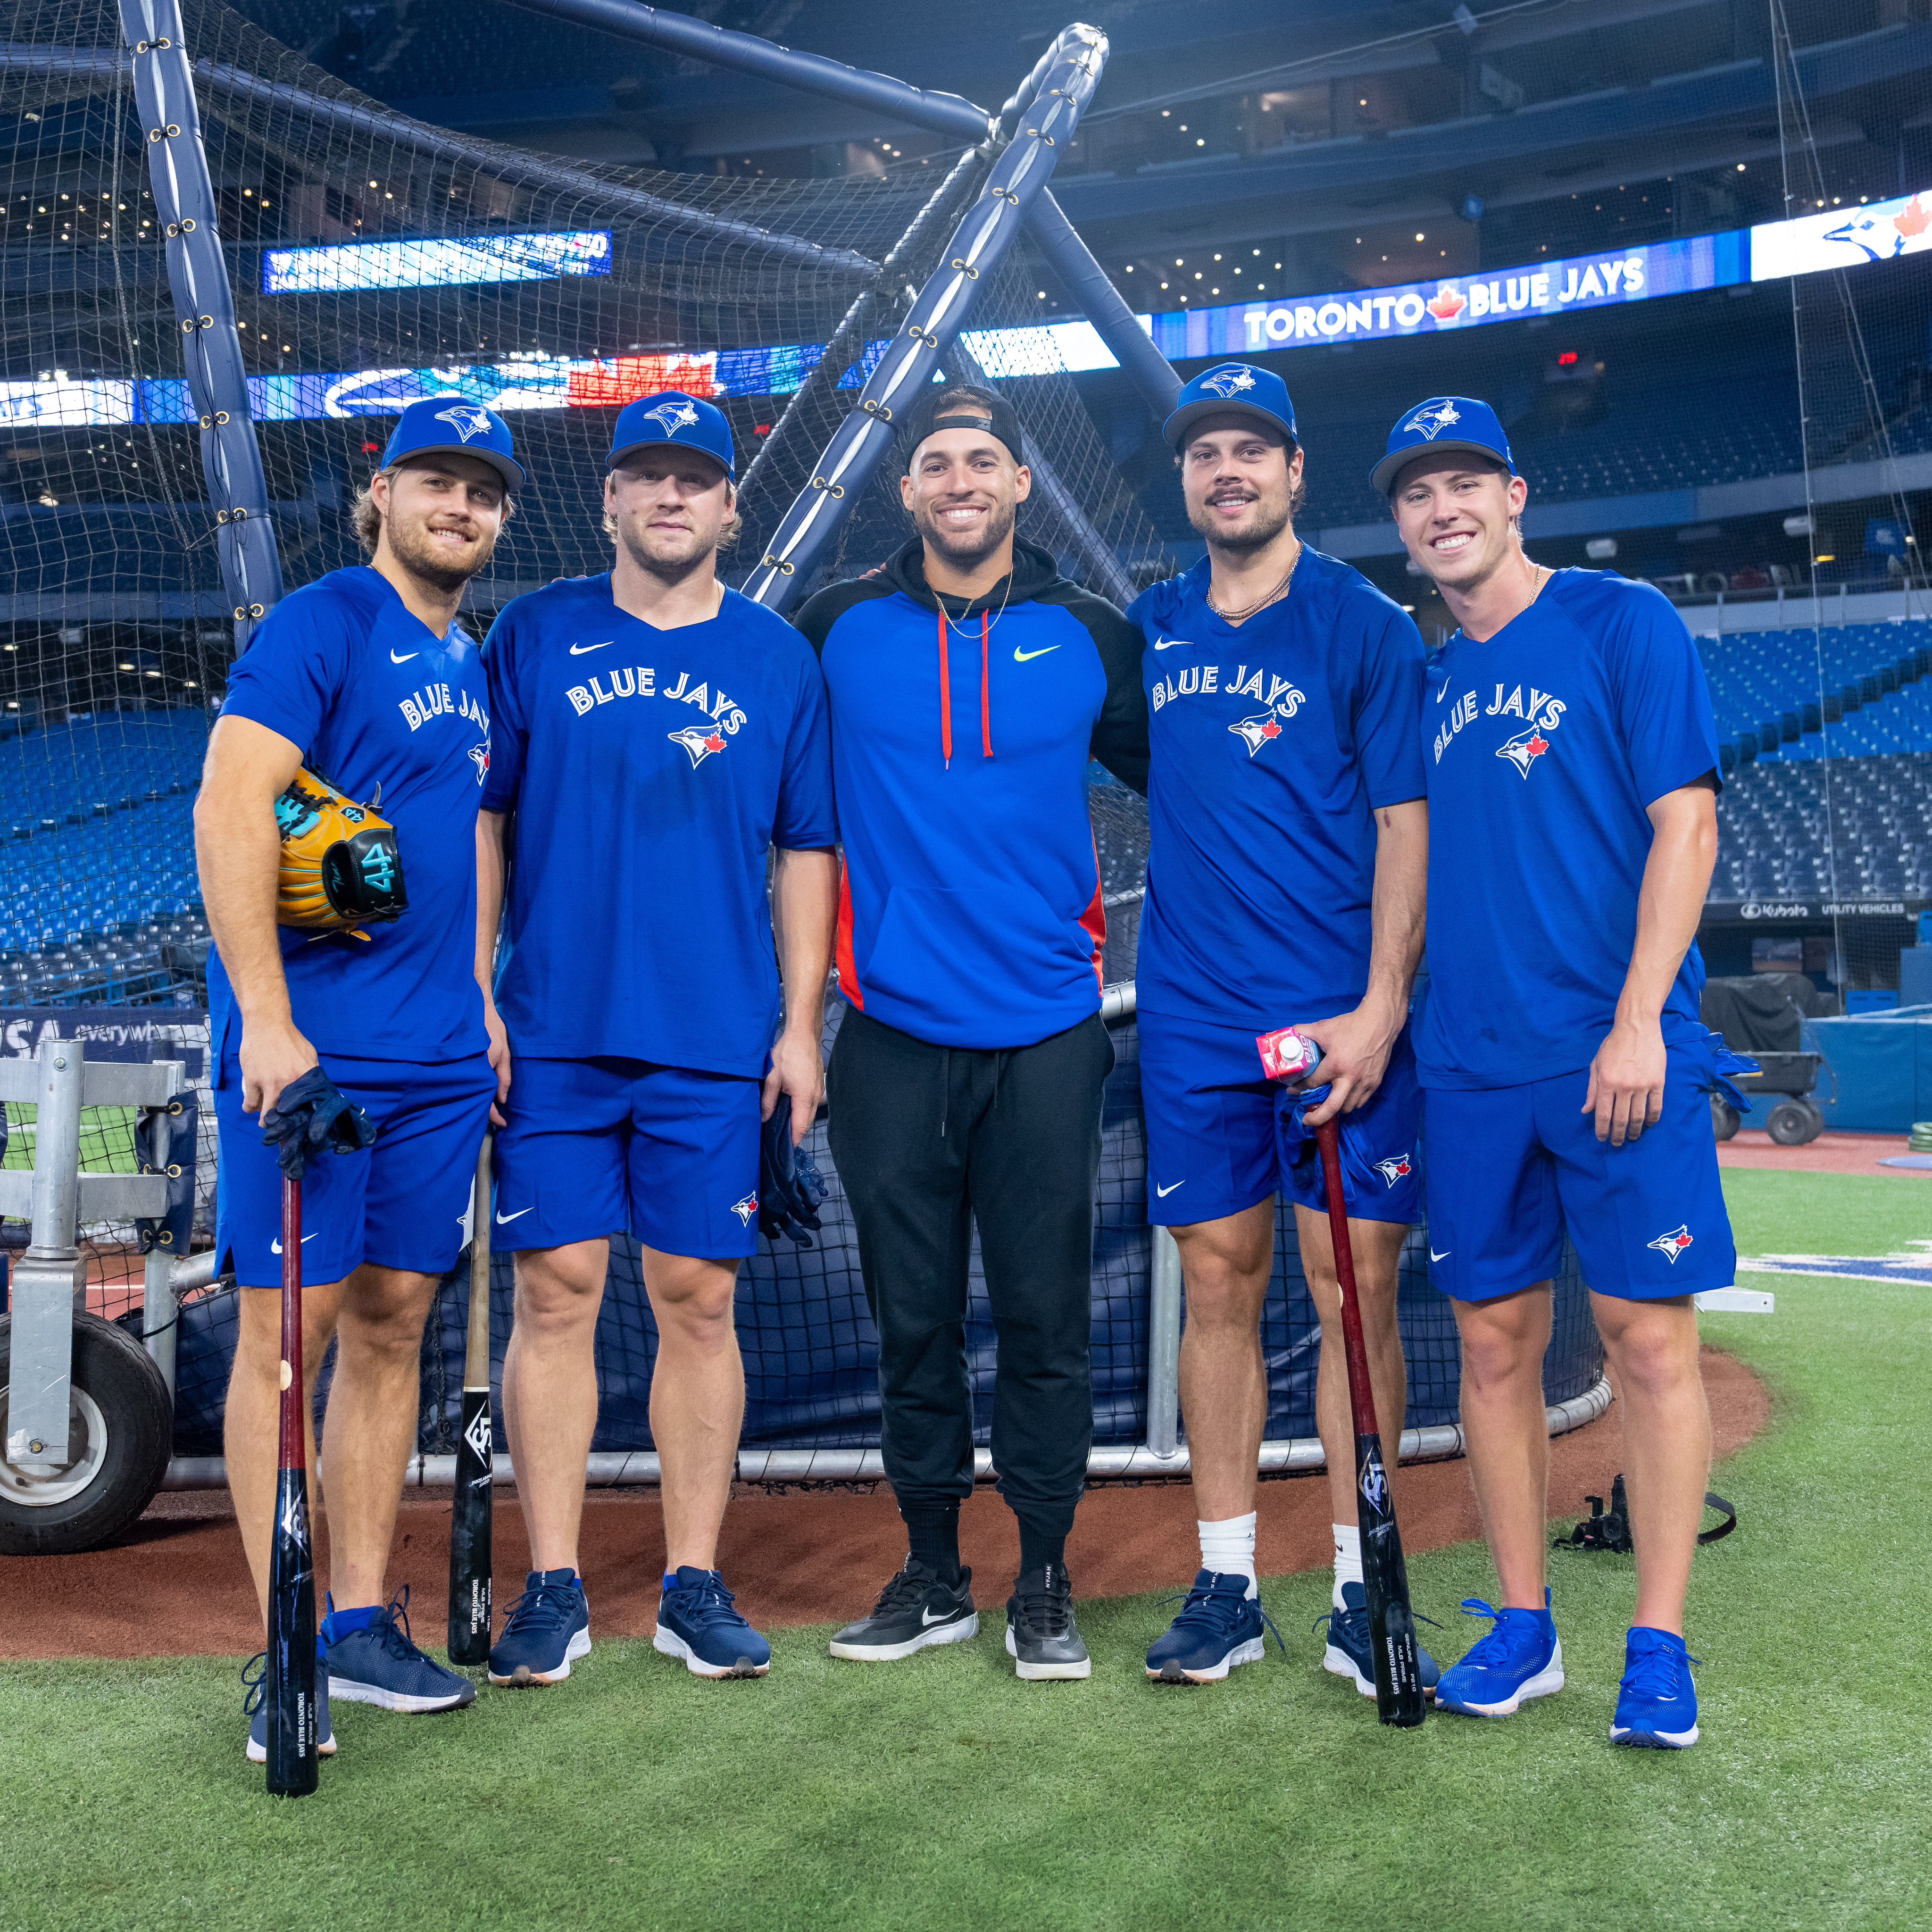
<point x="1274" y="747"/>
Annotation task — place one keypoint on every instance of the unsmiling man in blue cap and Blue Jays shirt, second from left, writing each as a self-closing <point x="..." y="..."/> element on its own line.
<point x="656" y="737"/>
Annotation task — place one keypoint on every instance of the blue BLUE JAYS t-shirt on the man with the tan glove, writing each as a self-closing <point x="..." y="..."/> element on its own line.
<point x="399" y="720"/>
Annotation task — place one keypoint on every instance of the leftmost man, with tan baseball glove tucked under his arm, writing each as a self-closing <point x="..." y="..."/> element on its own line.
<point x="368" y="681"/>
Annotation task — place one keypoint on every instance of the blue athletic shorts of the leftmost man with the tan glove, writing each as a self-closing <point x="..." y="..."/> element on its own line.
<point x="403" y="1203"/>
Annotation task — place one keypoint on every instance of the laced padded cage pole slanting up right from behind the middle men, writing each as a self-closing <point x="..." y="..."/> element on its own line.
<point x="936" y="320"/>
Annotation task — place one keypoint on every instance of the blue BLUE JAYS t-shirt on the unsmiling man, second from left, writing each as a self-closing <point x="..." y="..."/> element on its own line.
<point x="650" y="774"/>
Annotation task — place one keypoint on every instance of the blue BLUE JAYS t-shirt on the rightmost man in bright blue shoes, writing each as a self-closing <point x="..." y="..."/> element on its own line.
<point x="1545" y="751"/>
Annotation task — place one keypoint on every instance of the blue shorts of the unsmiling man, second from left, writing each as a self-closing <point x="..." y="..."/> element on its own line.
<point x="604" y="1145"/>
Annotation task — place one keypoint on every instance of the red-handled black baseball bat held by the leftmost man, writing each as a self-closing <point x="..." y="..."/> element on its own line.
<point x="295" y="1759"/>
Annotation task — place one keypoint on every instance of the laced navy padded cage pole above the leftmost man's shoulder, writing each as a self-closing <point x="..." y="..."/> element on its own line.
<point x="206" y="308"/>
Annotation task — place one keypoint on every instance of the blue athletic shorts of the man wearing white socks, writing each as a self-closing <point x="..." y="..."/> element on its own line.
<point x="1212" y="1129"/>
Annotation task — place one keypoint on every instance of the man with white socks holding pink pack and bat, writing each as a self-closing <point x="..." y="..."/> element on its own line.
<point x="1284" y="888"/>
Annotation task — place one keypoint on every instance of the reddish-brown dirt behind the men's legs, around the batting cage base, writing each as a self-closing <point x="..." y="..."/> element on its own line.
<point x="177" y="1587"/>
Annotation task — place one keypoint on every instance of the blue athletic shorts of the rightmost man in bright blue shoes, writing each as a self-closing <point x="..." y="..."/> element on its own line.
<point x="1512" y="1168"/>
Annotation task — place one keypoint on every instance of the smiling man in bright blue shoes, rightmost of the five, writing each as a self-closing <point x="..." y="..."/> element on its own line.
<point x="1574" y="772"/>
